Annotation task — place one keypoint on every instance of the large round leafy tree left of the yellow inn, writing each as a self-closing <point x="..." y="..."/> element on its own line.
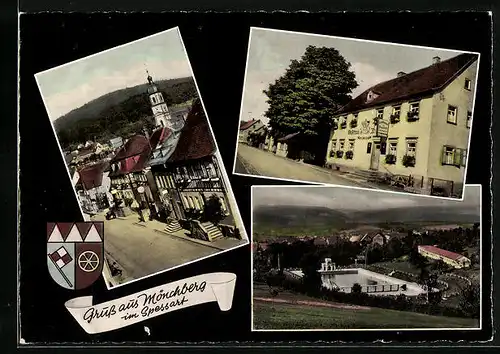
<point x="308" y="95"/>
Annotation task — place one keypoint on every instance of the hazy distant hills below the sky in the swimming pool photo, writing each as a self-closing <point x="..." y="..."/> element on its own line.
<point x="318" y="221"/>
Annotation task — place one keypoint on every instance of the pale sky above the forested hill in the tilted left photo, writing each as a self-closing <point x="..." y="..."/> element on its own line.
<point x="71" y="85"/>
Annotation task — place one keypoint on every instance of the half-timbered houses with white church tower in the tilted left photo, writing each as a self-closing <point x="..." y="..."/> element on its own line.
<point x="172" y="171"/>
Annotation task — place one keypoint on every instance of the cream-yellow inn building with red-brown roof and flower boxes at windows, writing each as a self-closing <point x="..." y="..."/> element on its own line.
<point x="416" y="126"/>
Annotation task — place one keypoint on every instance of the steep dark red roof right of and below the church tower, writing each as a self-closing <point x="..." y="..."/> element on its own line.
<point x="196" y="139"/>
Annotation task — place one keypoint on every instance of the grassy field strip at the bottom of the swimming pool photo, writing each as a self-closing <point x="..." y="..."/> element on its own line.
<point x="291" y="311"/>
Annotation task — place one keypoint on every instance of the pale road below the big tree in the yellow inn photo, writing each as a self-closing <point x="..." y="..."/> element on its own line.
<point x="253" y="161"/>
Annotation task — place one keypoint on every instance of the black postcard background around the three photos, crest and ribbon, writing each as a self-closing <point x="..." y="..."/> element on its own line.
<point x="216" y="45"/>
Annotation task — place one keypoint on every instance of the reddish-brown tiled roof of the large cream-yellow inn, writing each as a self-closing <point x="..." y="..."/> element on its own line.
<point x="417" y="83"/>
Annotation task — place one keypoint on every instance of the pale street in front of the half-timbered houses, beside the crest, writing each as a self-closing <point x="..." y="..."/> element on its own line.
<point x="141" y="251"/>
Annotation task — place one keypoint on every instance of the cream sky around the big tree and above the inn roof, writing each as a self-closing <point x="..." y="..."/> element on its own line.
<point x="270" y="53"/>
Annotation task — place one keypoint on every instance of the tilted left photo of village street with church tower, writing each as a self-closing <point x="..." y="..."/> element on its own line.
<point x="140" y="152"/>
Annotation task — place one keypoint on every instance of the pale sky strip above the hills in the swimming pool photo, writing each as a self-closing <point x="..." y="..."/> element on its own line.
<point x="356" y="199"/>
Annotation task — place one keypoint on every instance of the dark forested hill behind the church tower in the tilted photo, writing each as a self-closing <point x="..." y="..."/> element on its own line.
<point x="122" y="112"/>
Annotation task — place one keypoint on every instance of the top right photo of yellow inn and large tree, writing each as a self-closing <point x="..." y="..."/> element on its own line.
<point x="341" y="111"/>
